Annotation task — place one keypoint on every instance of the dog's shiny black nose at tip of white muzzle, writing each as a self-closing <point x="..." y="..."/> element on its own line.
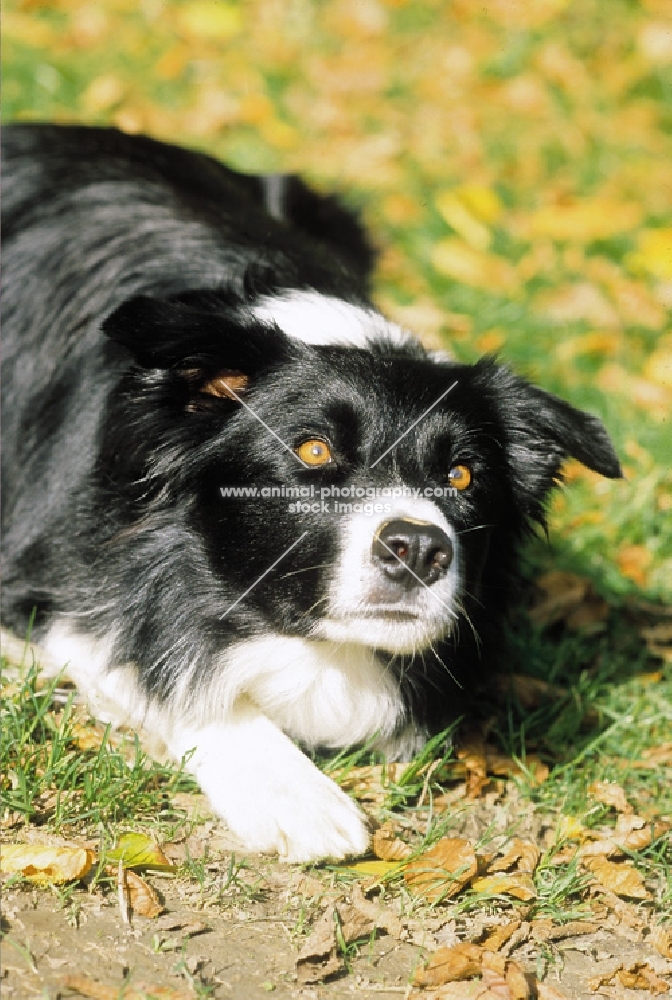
<point x="412" y="552"/>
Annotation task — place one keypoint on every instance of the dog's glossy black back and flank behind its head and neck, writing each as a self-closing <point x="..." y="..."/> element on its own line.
<point x="92" y="218"/>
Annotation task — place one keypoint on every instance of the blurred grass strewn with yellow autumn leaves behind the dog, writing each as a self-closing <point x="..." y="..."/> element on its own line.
<point x="512" y="159"/>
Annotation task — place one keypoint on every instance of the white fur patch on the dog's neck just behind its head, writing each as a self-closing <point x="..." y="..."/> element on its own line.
<point x="324" y="320"/>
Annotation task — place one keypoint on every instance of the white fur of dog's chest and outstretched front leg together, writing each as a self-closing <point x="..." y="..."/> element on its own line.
<point x="233" y="731"/>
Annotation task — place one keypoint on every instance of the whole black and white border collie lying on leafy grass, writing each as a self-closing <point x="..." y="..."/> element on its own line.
<point x="244" y="507"/>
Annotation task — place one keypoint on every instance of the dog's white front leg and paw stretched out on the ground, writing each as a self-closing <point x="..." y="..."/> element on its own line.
<point x="267" y="790"/>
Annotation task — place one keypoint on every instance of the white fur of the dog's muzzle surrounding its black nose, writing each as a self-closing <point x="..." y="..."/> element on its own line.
<point x="348" y="616"/>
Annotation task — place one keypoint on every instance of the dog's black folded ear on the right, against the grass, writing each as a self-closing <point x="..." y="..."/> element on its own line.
<point x="541" y="431"/>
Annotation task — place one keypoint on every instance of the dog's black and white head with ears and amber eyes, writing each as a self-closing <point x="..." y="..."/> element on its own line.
<point x="385" y="480"/>
